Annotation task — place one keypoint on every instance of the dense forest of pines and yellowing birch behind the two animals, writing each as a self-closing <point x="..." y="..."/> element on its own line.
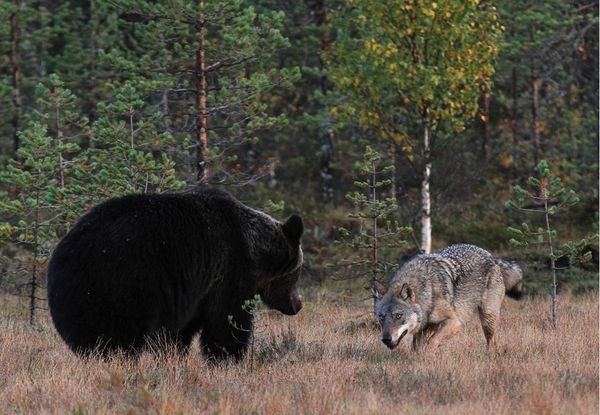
<point x="285" y="104"/>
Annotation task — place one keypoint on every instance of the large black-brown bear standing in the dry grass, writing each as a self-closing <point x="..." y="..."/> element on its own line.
<point x="168" y="266"/>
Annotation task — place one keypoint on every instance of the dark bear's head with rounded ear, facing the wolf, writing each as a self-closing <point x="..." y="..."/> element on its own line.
<point x="281" y="268"/>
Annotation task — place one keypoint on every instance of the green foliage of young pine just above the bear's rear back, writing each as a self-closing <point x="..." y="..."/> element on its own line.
<point x="127" y="153"/>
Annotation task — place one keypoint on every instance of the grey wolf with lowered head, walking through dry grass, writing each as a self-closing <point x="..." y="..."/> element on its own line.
<point x="432" y="295"/>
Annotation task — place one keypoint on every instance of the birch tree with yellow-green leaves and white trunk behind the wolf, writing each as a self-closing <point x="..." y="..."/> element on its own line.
<point x="411" y="68"/>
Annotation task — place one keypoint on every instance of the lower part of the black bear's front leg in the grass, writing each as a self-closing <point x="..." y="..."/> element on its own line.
<point x="227" y="337"/>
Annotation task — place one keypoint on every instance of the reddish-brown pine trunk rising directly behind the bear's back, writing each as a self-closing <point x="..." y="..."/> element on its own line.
<point x="201" y="87"/>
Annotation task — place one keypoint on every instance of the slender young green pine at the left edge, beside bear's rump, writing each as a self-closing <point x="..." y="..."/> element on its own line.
<point x="44" y="196"/>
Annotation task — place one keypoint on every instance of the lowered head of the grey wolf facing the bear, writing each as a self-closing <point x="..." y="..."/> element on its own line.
<point x="396" y="311"/>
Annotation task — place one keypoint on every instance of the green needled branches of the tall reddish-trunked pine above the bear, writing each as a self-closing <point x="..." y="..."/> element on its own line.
<point x="238" y="49"/>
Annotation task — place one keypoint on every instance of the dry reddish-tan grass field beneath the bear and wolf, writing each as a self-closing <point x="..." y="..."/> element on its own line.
<point x="326" y="360"/>
